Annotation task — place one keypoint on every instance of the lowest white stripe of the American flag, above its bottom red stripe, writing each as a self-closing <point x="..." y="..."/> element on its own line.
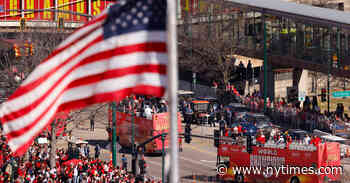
<point x="110" y="85"/>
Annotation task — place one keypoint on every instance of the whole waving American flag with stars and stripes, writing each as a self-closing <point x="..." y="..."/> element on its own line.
<point x="123" y="51"/>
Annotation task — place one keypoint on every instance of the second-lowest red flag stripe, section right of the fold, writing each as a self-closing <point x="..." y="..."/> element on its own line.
<point x="161" y="69"/>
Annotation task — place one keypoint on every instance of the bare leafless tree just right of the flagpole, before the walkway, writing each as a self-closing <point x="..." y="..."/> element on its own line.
<point x="212" y="44"/>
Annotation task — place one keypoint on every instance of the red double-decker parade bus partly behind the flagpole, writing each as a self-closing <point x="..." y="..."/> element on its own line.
<point x="144" y="129"/>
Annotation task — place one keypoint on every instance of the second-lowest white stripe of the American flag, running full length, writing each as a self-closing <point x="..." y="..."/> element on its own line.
<point x="116" y="62"/>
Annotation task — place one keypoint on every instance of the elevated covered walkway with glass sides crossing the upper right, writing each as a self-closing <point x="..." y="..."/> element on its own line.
<point x="293" y="35"/>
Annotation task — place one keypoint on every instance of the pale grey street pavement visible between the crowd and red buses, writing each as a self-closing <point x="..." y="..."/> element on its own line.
<point x="197" y="161"/>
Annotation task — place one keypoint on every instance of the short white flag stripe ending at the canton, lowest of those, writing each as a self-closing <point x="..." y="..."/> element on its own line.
<point x="55" y="61"/>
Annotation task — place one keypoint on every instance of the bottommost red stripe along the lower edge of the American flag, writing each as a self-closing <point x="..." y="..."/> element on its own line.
<point x="110" y="96"/>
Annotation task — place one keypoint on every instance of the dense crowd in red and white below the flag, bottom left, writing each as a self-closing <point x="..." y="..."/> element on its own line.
<point x="75" y="164"/>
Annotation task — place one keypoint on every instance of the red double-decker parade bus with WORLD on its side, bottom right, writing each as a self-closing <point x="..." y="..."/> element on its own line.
<point x="322" y="162"/>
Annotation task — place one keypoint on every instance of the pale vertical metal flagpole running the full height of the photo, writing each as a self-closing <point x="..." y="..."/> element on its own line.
<point x="172" y="90"/>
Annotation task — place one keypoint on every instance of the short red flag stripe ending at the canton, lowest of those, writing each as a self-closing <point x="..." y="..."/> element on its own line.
<point x="30" y="86"/>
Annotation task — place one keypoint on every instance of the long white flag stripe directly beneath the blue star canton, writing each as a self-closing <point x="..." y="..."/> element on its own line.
<point x="36" y="93"/>
